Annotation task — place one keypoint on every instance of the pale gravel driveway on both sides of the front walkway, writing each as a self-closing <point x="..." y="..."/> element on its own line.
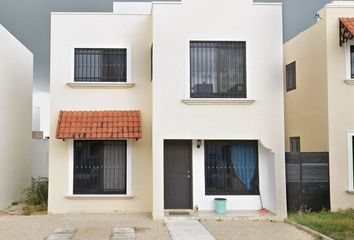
<point x="99" y="227"/>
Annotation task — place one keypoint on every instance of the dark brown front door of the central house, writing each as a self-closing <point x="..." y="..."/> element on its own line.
<point x="178" y="174"/>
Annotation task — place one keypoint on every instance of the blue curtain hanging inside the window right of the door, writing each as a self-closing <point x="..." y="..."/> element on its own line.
<point x="244" y="158"/>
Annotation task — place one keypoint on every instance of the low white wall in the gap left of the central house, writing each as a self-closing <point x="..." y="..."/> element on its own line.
<point x="39" y="162"/>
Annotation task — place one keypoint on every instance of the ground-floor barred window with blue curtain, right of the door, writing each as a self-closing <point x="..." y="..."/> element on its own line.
<point x="231" y="167"/>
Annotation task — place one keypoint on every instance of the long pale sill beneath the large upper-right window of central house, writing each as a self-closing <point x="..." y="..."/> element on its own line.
<point x="217" y="101"/>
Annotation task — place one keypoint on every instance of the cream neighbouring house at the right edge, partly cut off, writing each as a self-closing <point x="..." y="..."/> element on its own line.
<point x="320" y="94"/>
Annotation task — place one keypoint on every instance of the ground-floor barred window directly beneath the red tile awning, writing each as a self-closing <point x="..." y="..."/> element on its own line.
<point x="100" y="167"/>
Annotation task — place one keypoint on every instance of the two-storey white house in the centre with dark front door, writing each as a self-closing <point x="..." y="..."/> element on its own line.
<point x="167" y="105"/>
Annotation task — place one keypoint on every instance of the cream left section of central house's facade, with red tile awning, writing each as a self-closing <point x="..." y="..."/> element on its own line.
<point x="95" y="37"/>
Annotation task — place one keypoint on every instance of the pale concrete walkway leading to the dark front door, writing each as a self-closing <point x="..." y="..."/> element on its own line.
<point x="187" y="229"/>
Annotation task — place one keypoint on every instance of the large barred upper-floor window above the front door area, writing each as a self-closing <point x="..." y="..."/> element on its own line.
<point x="217" y="69"/>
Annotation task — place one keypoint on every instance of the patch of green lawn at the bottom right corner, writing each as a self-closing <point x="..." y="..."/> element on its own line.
<point x="337" y="225"/>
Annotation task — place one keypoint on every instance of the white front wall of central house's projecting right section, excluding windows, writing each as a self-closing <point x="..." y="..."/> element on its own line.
<point x="260" y="25"/>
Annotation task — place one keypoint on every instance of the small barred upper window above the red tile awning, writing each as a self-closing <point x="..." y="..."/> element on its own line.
<point x="100" y="65"/>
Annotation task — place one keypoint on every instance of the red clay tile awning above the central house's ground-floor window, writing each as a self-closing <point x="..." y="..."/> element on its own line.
<point x="99" y="125"/>
